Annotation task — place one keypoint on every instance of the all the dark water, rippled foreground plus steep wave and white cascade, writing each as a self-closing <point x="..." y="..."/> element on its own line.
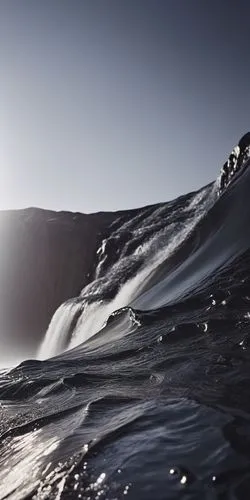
<point x="143" y="391"/>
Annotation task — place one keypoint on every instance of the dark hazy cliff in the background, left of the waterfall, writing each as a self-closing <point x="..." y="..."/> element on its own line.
<point x="46" y="258"/>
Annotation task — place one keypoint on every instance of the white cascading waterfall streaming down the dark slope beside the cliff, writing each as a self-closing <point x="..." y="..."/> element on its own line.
<point x="92" y="311"/>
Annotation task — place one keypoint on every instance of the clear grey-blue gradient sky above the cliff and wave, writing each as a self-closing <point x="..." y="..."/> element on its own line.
<point x="110" y="104"/>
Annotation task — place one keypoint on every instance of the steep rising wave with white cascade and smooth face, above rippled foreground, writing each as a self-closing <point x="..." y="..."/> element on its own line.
<point x="159" y="255"/>
